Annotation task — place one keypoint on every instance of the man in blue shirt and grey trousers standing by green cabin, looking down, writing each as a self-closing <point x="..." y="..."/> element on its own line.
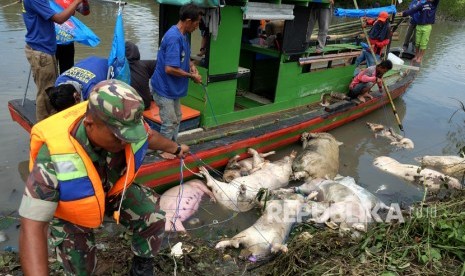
<point x="173" y="70"/>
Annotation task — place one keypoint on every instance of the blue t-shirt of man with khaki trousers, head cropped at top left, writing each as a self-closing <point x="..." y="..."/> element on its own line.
<point x="40" y="35"/>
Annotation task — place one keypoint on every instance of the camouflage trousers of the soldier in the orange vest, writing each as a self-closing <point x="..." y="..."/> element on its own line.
<point x="140" y="213"/>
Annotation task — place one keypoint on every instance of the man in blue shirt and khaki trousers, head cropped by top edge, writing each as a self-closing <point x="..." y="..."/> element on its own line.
<point x="40" y="48"/>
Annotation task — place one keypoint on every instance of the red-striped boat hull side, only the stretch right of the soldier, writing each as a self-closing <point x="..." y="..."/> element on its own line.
<point x="216" y="152"/>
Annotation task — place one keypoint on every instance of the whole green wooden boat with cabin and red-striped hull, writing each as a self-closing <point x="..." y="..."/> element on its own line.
<point x="254" y="95"/>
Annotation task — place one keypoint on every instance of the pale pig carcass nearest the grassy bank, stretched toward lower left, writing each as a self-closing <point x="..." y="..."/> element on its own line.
<point x="269" y="233"/>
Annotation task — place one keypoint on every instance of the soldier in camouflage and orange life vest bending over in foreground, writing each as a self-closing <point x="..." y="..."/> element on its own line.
<point x="111" y="122"/>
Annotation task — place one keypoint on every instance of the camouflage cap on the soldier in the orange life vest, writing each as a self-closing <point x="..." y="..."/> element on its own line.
<point x="119" y="106"/>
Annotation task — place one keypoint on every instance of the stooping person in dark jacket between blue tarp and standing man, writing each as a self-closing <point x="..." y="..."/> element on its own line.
<point x="141" y="71"/>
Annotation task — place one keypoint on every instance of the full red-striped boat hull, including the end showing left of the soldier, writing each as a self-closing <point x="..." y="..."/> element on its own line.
<point x="214" y="151"/>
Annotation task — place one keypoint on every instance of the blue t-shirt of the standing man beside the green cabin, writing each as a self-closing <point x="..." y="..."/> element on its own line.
<point x="175" y="52"/>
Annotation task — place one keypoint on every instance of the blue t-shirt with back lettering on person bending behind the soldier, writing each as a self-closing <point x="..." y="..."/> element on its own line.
<point x="88" y="72"/>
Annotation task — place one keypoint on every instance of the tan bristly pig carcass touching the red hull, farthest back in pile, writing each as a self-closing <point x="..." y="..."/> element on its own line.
<point x="319" y="158"/>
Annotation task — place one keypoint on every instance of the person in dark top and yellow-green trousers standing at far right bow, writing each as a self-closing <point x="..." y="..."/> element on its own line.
<point x="424" y="19"/>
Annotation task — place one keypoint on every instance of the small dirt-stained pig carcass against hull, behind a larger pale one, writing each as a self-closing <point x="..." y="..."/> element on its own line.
<point x="235" y="169"/>
